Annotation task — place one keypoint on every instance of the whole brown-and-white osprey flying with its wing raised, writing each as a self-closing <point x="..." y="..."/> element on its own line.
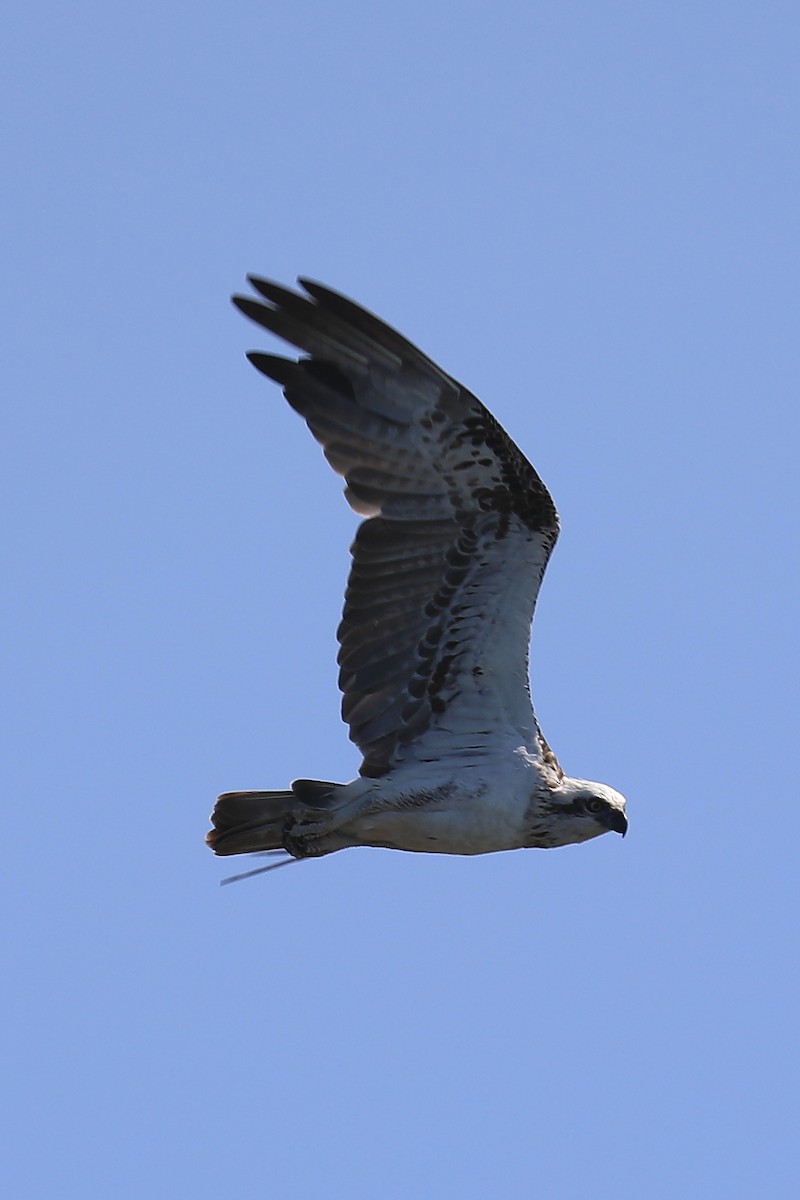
<point x="434" y="643"/>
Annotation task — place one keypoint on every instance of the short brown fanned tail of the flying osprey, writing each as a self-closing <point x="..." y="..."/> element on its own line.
<point x="248" y="823"/>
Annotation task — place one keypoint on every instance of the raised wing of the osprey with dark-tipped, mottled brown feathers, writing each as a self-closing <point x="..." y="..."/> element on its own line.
<point x="460" y="527"/>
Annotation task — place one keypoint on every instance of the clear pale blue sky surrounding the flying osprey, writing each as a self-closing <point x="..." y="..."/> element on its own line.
<point x="590" y="214"/>
